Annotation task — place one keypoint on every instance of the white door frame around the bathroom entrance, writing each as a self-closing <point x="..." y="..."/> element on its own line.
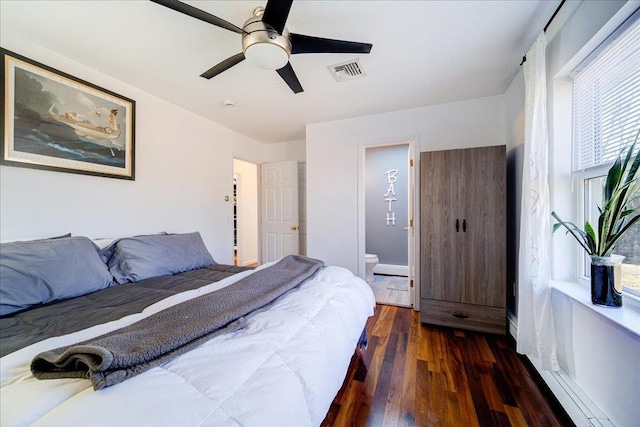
<point x="414" y="210"/>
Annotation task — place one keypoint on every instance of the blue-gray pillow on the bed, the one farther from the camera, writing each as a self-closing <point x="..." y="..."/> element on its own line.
<point x="135" y="258"/>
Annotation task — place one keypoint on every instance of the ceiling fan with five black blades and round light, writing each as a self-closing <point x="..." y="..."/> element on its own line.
<point x="266" y="42"/>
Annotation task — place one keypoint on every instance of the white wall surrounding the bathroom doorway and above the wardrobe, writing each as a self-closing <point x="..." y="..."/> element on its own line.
<point x="332" y="158"/>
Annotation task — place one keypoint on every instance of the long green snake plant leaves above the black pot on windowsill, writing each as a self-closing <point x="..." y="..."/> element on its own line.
<point x="622" y="185"/>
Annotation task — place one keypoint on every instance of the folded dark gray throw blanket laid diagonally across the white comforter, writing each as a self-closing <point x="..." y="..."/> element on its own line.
<point x="127" y="352"/>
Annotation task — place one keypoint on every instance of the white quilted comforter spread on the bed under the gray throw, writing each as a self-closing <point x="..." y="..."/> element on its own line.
<point x="283" y="369"/>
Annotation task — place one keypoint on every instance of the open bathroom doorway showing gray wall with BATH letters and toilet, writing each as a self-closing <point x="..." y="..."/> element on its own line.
<point x="388" y="222"/>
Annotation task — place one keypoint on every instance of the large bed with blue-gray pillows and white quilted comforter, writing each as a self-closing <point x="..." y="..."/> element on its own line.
<point x="281" y="363"/>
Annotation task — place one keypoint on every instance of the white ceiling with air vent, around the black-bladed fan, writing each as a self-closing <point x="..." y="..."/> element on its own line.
<point x="424" y="53"/>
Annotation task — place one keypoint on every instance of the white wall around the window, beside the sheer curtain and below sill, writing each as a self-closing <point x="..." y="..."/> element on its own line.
<point x="600" y="357"/>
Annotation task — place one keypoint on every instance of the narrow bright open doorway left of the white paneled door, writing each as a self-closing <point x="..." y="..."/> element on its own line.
<point x="245" y="214"/>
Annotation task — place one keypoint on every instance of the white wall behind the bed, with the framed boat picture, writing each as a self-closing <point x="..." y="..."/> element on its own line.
<point x="183" y="173"/>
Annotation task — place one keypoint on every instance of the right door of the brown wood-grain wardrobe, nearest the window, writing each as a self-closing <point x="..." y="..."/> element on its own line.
<point x="483" y="216"/>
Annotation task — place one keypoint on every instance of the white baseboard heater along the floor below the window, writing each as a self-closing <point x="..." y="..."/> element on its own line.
<point x="581" y="409"/>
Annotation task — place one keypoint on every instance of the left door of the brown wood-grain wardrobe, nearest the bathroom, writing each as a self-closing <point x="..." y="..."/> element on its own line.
<point x="441" y="276"/>
